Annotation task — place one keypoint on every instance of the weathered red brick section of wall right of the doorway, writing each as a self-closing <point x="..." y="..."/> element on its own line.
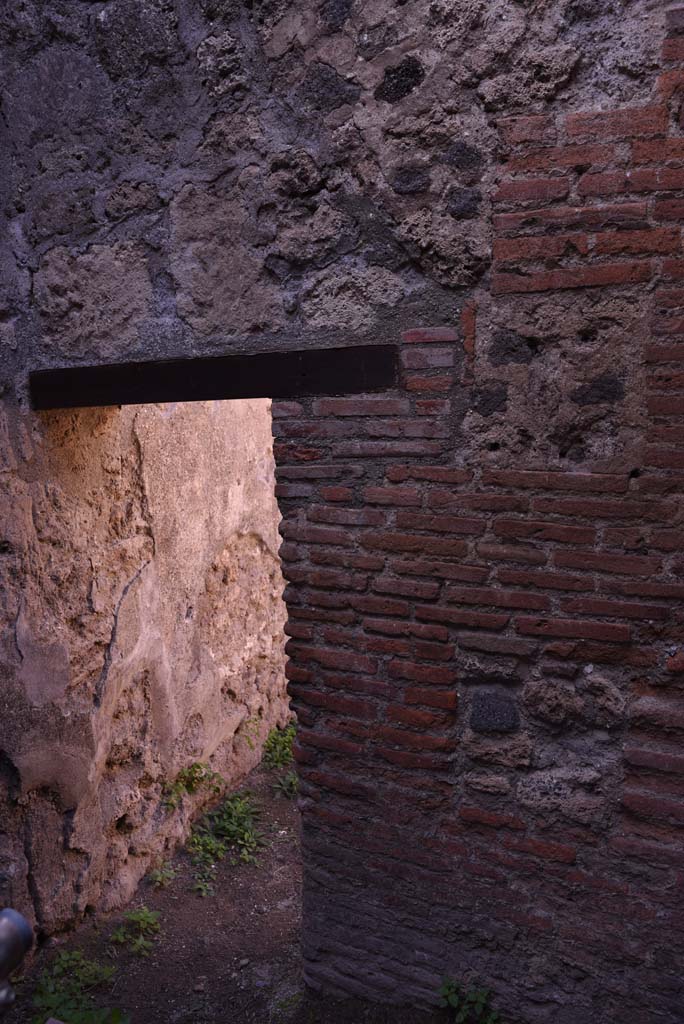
<point x="487" y="650"/>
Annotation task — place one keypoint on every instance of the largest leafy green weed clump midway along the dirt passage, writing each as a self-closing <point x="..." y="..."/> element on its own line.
<point x="229" y="829"/>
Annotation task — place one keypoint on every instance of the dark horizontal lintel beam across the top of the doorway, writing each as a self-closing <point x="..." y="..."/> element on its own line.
<point x="267" y="375"/>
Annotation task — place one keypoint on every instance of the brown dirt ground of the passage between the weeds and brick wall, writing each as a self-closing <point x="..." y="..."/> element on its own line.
<point x="232" y="958"/>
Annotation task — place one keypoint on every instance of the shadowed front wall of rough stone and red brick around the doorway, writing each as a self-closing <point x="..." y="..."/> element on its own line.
<point x="485" y="565"/>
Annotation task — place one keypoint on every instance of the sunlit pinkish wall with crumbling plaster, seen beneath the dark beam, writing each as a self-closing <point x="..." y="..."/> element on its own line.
<point x="145" y="631"/>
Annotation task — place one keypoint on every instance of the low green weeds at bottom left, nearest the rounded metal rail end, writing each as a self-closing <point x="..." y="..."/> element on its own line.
<point x="66" y="992"/>
